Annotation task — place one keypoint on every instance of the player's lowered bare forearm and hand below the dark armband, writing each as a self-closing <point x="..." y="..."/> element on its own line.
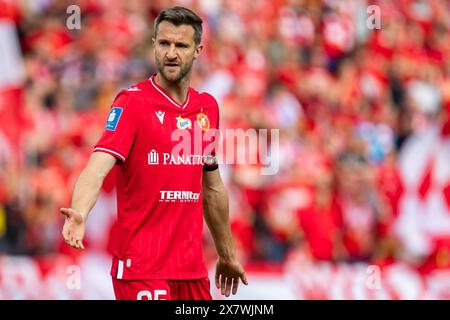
<point x="215" y="204"/>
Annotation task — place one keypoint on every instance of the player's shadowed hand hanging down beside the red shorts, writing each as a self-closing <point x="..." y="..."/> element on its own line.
<point x="228" y="273"/>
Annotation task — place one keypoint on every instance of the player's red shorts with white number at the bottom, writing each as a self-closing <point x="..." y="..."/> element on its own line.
<point x="197" y="289"/>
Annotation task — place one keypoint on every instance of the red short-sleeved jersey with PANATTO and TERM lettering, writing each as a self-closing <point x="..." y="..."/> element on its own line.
<point x="162" y="149"/>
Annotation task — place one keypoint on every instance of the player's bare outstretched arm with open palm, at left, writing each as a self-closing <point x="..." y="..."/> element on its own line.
<point x="85" y="193"/>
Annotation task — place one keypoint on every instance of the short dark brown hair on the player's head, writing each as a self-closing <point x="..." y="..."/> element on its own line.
<point x="179" y="16"/>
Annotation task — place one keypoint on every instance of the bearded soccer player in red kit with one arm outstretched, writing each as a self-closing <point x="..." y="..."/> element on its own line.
<point x="162" y="193"/>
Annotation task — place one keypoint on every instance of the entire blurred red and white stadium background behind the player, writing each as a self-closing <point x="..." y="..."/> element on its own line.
<point x="360" y="208"/>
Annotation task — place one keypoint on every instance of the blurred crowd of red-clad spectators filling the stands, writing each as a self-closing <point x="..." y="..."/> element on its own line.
<point x="345" y="96"/>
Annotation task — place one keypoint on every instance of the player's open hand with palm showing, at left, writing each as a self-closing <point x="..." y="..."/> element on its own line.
<point x="74" y="228"/>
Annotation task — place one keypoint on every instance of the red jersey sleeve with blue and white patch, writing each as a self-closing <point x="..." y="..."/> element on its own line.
<point x="120" y="129"/>
